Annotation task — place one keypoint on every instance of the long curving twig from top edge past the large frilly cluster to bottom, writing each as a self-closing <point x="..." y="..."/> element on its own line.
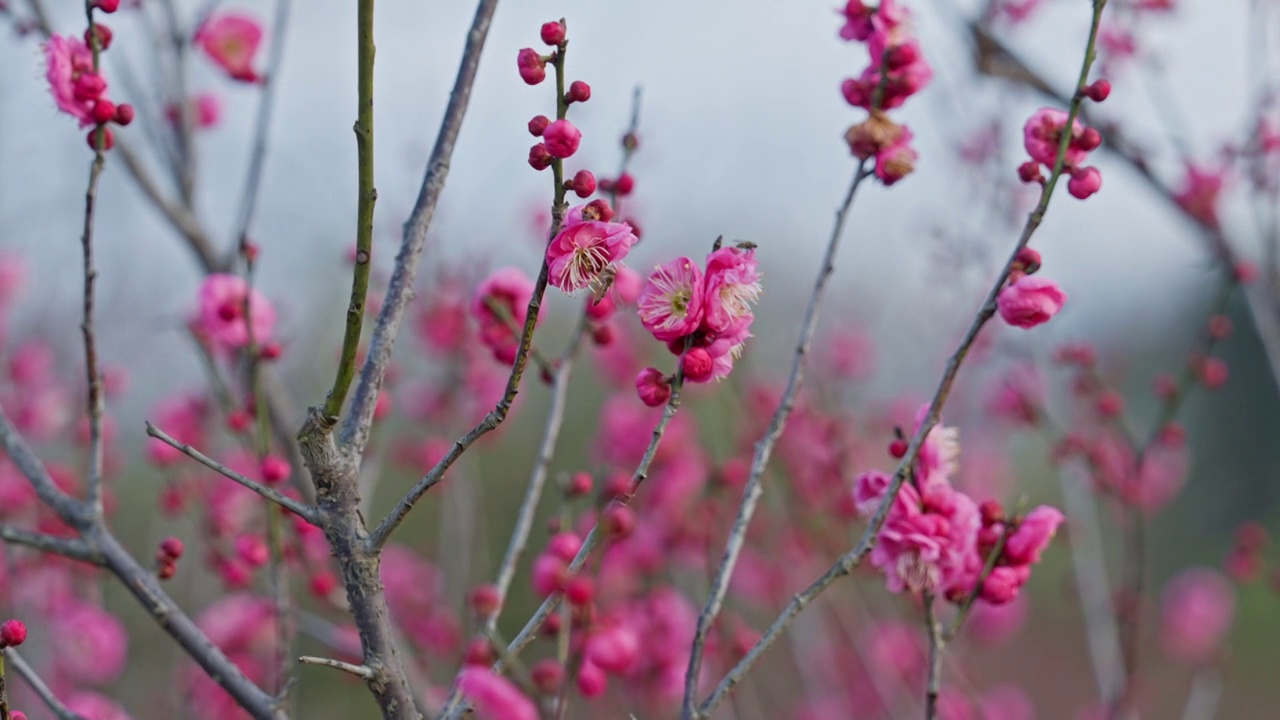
<point x="847" y="563"/>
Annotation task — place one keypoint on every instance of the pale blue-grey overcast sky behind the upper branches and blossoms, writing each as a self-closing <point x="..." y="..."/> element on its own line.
<point x="740" y="136"/>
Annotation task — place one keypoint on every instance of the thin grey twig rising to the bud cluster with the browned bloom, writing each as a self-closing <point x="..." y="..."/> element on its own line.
<point x="765" y="450"/>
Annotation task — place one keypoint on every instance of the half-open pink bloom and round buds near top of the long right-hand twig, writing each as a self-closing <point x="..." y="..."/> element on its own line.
<point x="1044" y="136"/>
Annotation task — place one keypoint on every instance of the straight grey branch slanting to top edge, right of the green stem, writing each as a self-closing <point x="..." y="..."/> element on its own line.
<point x="400" y="290"/>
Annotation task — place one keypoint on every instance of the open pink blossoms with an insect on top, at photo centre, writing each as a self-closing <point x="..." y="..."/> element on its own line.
<point x="705" y="317"/>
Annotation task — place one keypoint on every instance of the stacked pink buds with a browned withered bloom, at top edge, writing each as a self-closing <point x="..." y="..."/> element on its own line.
<point x="898" y="71"/>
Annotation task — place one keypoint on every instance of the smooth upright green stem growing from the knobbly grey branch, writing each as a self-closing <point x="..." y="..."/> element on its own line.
<point x="368" y="197"/>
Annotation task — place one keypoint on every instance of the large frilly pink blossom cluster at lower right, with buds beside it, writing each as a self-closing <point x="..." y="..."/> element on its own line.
<point x="936" y="540"/>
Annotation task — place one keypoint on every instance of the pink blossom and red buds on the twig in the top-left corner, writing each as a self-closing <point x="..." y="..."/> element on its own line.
<point x="79" y="86"/>
